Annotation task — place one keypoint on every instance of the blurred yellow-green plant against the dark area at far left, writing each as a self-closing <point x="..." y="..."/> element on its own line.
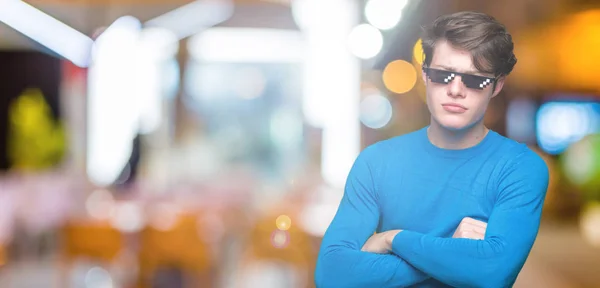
<point x="36" y="141"/>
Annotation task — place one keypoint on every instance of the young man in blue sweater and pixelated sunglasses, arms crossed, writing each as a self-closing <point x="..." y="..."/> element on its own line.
<point x="454" y="203"/>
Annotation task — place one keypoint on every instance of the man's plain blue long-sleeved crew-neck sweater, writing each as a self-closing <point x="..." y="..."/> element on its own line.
<point x="407" y="183"/>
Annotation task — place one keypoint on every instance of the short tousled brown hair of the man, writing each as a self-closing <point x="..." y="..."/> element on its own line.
<point x="487" y="40"/>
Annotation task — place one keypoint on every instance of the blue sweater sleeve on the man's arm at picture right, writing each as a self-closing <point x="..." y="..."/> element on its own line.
<point x="511" y="231"/>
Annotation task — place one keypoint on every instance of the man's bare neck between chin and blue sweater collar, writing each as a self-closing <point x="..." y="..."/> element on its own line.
<point x="456" y="139"/>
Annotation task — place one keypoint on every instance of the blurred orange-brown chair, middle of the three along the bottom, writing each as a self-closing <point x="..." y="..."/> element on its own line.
<point x="179" y="249"/>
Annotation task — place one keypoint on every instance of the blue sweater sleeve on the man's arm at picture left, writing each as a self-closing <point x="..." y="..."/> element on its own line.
<point x="341" y="263"/>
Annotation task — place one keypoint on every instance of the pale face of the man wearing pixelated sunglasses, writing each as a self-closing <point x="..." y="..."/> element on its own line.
<point x="453" y="105"/>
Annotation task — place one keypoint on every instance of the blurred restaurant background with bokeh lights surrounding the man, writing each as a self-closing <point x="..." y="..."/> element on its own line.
<point x="155" y="143"/>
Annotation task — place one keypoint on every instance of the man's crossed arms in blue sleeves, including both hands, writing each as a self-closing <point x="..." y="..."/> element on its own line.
<point x="414" y="257"/>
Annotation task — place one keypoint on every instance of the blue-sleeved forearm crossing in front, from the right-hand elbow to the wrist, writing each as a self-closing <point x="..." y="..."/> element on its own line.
<point x="461" y="262"/>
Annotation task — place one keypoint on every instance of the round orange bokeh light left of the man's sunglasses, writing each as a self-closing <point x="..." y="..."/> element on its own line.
<point x="399" y="76"/>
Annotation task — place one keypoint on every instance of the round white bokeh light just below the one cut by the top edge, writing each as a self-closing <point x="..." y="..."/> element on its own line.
<point x="365" y="41"/>
